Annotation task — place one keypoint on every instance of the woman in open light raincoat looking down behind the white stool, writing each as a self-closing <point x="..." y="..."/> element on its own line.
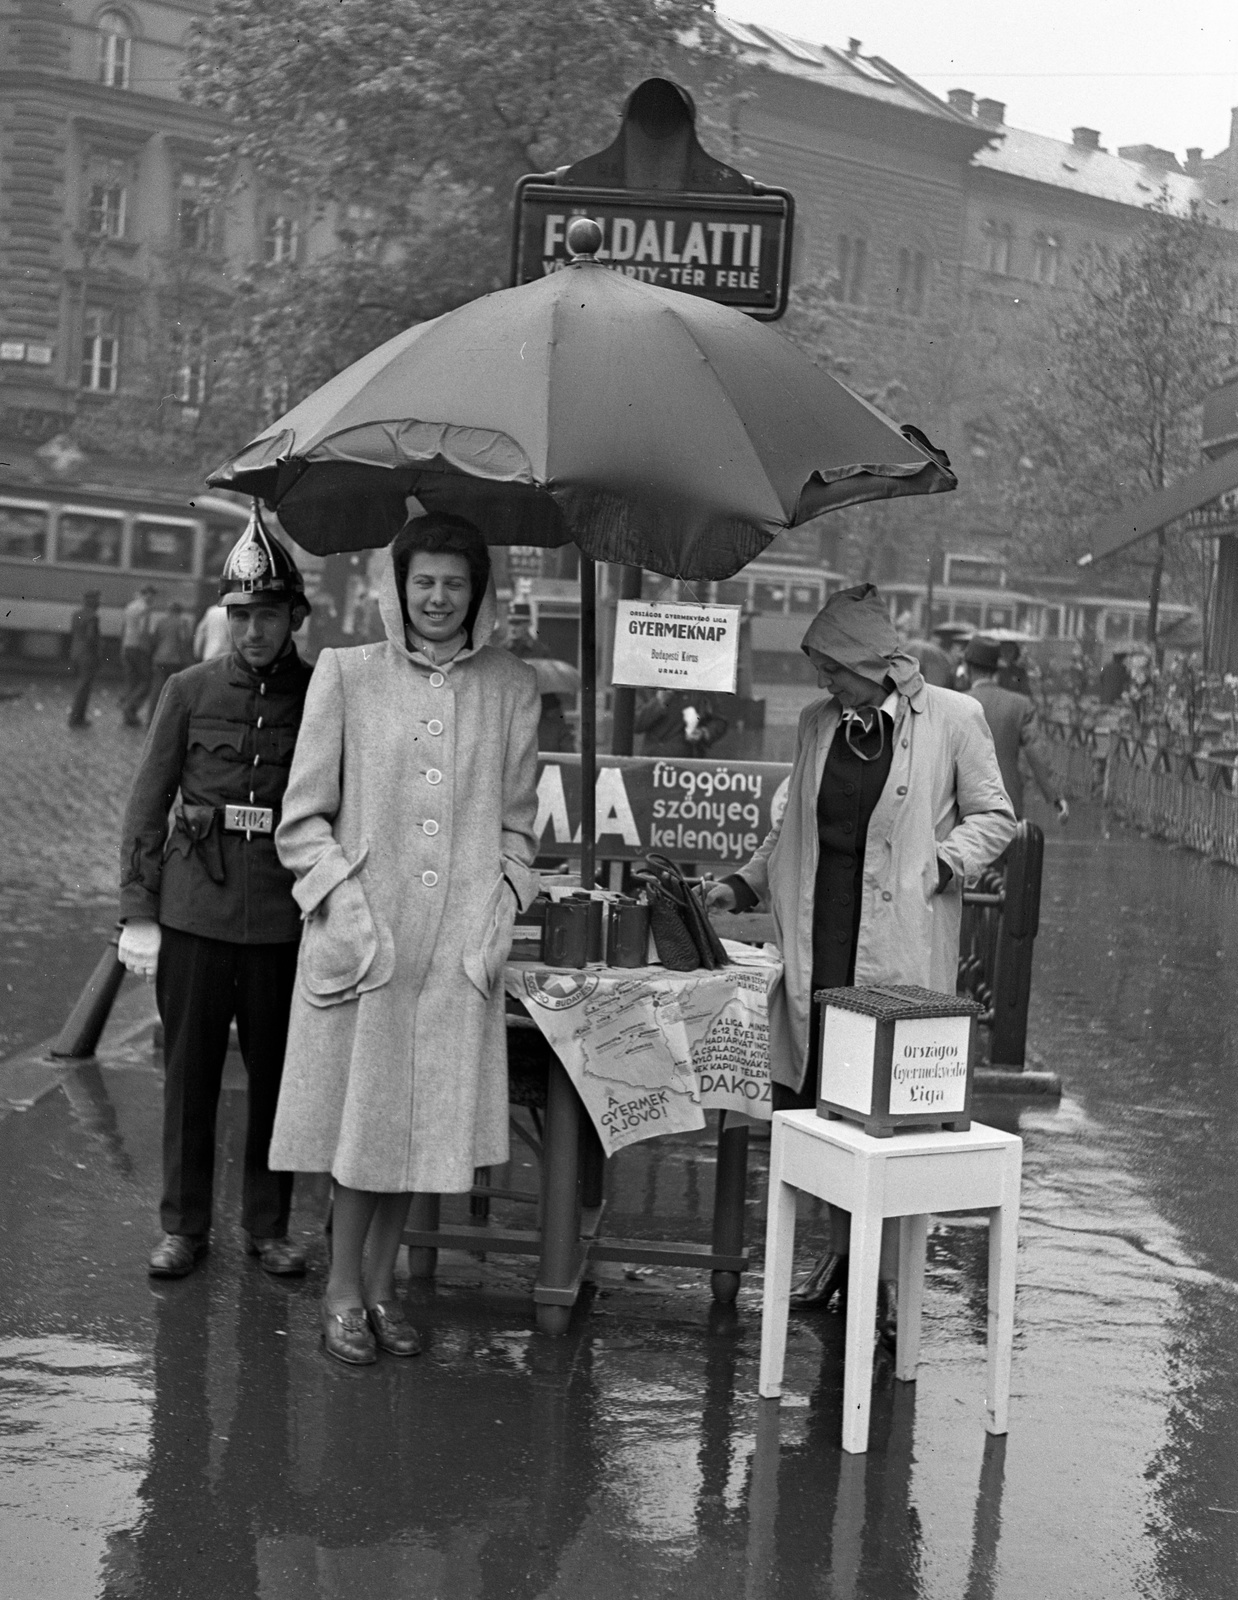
<point x="895" y="799"/>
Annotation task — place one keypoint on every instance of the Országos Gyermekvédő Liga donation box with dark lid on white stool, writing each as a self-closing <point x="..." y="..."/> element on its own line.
<point x="897" y="1057"/>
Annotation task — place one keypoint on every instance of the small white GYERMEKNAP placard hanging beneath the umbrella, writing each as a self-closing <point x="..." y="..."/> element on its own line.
<point x="677" y="647"/>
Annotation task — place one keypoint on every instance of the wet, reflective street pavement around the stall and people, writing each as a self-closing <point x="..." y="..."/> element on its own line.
<point x="191" y="1441"/>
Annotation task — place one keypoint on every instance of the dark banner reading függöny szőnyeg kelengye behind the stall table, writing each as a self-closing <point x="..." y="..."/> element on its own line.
<point x="706" y="812"/>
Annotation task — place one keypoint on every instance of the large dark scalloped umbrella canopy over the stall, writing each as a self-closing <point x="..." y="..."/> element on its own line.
<point x="652" y="428"/>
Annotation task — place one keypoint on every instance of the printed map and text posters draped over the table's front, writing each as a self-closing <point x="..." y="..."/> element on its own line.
<point x="652" y="1050"/>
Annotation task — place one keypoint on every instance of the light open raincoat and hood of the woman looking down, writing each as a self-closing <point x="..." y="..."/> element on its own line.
<point x="943" y="799"/>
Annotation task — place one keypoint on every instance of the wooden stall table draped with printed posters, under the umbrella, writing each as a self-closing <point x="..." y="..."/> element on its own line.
<point x="642" y="1052"/>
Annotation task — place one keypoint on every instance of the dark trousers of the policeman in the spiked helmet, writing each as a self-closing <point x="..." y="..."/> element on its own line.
<point x="201" y="986"/>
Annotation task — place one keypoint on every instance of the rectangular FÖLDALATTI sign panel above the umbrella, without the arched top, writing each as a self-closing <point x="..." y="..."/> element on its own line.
<point x="730" y="249"/>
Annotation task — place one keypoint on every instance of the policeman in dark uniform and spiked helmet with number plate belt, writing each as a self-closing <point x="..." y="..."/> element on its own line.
<point x="207" y="906"/>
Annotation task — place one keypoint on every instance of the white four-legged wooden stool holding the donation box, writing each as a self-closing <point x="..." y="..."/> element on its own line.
<point x="909" y="1175"/>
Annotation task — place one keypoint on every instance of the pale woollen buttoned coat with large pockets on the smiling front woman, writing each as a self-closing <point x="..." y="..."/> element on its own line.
<point x="409" y="823"/>
